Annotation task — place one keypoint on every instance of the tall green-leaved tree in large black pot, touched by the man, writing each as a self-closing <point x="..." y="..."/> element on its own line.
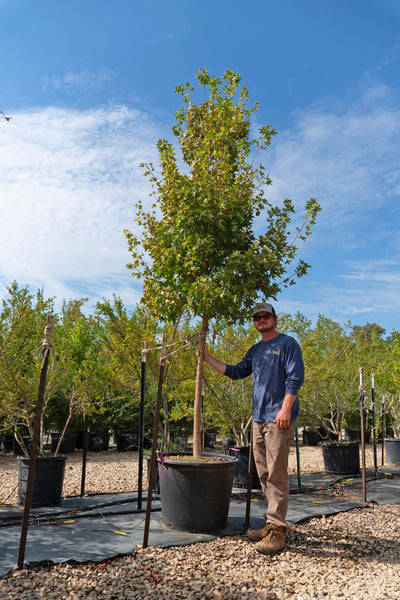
<point x="197" y="252"/>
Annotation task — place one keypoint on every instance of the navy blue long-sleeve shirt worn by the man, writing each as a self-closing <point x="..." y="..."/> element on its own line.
<point x="278" y="369"/>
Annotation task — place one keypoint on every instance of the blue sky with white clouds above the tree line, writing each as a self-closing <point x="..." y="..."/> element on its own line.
<point x="90" y="88"/>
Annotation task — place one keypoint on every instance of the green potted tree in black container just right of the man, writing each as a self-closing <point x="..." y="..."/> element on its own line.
<point x="332" y="355"/>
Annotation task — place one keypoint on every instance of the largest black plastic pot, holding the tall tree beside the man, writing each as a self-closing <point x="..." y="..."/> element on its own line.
<point x="195" y="496"/>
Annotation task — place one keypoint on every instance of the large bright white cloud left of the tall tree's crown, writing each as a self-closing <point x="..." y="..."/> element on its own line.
<point x="68" y="184"/>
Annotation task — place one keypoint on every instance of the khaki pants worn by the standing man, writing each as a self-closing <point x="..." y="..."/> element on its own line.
<point x="271" y="447"/>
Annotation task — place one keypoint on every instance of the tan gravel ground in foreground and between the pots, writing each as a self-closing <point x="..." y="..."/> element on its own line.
<point x="352" y="555"/>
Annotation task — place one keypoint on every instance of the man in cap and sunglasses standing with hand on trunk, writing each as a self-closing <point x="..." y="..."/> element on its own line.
<point x="276" y="364"/>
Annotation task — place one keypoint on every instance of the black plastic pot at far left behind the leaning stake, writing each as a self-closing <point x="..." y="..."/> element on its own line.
<point x="48" y="480"/>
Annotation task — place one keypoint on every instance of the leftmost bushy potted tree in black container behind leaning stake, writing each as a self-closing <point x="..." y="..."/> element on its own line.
<point x="22" y="325"/>
